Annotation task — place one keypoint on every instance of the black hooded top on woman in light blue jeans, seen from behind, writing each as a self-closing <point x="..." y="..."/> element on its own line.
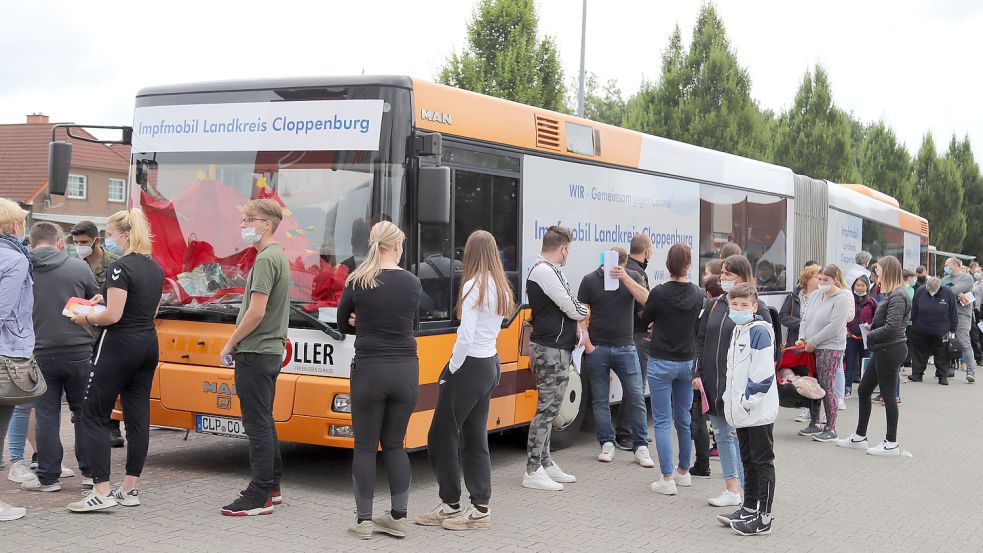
<point x="674" y="309"/>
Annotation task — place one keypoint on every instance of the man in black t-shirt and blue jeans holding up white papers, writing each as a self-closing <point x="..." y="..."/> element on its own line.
<point x="611" y="347"/>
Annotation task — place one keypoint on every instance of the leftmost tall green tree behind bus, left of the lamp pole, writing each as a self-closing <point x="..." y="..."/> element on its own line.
<point x="504" y="56"/>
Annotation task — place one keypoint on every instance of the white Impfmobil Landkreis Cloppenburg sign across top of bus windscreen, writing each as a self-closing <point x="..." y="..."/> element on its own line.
<point x="259" y="126"/>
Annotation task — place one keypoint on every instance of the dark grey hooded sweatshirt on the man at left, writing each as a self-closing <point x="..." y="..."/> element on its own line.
<point x="57" y="278"/>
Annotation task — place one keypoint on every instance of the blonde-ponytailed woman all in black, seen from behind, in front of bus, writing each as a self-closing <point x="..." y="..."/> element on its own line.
<point x="379" y="305"/>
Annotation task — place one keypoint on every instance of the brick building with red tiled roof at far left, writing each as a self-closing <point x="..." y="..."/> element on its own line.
<point x="96" y="185"/>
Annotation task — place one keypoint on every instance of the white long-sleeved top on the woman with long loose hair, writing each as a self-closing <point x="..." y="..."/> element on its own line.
<point x="480" y="325"/>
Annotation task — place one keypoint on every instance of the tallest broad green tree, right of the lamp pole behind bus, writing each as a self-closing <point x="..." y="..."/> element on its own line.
<point x="703" y="95"/>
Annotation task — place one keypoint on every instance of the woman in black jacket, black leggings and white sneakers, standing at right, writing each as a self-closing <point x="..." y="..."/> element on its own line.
<point x="886" y="341"/>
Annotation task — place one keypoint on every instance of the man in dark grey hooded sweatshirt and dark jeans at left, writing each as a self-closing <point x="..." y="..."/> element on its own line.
<point x="62" y="350"/>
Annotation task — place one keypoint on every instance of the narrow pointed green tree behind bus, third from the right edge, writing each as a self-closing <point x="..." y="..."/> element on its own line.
<point x="885" y="165"/>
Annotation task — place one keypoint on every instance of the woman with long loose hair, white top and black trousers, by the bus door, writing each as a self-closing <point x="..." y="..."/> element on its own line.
<point x="459" y="428"/>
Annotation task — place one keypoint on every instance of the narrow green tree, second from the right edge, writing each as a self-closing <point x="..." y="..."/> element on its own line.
<point x="940" y="197"/>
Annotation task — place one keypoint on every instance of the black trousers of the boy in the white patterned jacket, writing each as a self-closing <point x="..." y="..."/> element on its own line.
<point x="758" y="457"/>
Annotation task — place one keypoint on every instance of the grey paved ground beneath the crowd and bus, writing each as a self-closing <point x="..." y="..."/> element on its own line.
<point x="828" y="498"/>
